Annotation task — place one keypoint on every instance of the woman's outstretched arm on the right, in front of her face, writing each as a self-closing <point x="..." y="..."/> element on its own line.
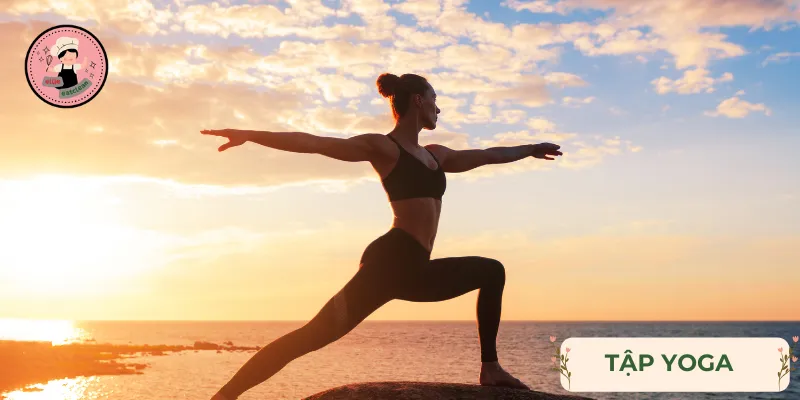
<point x="465" y="160"/>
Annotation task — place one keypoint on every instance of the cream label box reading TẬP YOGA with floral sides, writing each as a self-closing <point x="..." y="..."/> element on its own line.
<point x="675" y="364"/>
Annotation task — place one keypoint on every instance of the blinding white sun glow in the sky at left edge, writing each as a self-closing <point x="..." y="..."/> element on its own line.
<point x="62" y="234"/>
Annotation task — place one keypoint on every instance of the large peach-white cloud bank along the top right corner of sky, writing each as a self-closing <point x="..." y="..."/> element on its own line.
<point x="676" y="27"/>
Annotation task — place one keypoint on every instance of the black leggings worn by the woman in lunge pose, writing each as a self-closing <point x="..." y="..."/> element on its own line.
<point x="393" y="266"/>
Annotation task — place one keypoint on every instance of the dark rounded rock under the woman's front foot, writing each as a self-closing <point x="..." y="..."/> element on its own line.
<point x="432" y="391"/>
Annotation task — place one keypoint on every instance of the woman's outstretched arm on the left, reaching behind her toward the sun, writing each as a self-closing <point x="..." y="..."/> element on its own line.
<point x="355" y="148"/>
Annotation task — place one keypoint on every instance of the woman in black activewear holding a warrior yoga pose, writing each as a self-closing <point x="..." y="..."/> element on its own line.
<point x="397" y="264"/>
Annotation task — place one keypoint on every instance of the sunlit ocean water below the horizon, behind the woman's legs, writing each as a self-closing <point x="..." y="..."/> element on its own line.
<point x="373" y="351"/>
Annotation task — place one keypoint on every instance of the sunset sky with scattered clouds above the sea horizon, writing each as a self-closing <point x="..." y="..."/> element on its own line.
<point x="677" y="197"/>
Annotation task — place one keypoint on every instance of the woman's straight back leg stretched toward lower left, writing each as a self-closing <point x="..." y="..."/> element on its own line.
<point x="361" y="296"/>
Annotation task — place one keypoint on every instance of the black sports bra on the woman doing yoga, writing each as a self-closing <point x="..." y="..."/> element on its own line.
<point x="411" y="178"/>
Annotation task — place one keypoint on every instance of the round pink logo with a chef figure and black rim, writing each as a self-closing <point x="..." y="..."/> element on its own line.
<point x="66" y="66"/>
